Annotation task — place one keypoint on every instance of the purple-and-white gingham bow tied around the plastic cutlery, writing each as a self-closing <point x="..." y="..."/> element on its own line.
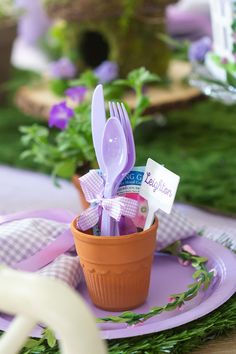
<point x="93" y="187"/>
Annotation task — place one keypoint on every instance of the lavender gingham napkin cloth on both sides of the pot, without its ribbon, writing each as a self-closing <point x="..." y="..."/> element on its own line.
<point x="21" y="239"/>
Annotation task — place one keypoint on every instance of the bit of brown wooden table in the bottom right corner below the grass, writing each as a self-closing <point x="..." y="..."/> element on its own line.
<point x="223" y="345"/>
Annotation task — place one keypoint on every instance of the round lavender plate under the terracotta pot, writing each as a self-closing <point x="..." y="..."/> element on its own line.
<point x="169" y="277"/>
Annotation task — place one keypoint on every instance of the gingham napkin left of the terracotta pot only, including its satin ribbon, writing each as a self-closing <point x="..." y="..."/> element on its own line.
<point x="37" y="244"/>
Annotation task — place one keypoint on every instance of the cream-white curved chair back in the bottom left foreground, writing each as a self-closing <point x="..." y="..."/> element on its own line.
<point x="34" y="298"/>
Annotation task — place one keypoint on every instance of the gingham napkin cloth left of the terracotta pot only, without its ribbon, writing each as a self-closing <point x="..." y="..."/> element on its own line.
<point x="23" y="238"/>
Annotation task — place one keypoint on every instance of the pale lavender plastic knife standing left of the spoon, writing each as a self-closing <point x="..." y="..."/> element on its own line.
<point x="98" y="121"/>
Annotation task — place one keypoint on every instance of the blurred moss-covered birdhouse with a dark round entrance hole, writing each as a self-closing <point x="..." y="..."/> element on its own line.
<point x="130" y="39"/>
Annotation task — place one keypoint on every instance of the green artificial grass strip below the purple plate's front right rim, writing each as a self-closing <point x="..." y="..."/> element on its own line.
<point x="183" y="339"/>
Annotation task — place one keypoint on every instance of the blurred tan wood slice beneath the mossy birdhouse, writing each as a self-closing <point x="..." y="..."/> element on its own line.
<point x="37" y="99"/>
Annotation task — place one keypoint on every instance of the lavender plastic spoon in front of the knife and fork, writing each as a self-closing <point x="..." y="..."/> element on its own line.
<point x="114" y="153"/>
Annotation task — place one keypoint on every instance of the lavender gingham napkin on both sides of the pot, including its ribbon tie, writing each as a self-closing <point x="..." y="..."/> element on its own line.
<point x="45" y="244"/>
